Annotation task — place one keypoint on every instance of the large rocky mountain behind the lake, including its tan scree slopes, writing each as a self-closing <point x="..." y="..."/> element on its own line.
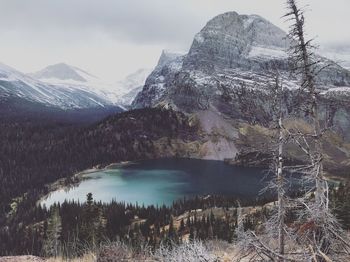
<point x="225" y="82"/>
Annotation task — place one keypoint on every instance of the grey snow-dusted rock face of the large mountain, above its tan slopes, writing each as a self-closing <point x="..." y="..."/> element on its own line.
<point x="230" y="68"/>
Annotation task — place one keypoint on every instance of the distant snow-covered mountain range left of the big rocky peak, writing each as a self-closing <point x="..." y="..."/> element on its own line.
<point x="64" y="88"/>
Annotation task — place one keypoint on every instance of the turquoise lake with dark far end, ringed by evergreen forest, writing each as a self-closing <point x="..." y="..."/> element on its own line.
<point x="164" y="180"/>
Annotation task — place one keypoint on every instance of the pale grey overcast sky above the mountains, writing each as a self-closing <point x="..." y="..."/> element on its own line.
<point x="111" y="38"/>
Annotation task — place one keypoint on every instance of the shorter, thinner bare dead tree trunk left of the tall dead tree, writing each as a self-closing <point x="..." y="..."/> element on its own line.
<point x="264" y="247"/>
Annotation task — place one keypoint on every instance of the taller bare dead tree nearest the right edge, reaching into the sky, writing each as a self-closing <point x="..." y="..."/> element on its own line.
<point x="321" y="233"/>
